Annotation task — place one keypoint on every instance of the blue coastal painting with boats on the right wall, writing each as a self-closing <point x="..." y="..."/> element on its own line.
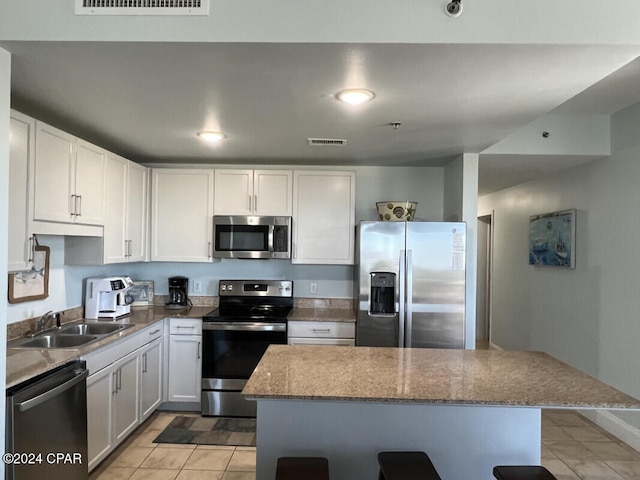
<point x="552" y="239"/>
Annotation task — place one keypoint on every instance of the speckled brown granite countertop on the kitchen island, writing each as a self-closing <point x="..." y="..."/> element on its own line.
<point x="428" y="376"/>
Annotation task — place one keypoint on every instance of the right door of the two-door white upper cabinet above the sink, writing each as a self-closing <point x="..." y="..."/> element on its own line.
<point x="90" y="183"/>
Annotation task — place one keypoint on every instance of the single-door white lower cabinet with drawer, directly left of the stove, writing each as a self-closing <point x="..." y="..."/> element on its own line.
<point x="184" y="360"/>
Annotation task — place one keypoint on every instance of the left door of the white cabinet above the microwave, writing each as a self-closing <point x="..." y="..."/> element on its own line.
<point x="233" y="192"/>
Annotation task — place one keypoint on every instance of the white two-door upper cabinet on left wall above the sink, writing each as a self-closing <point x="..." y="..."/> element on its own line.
<point x="69" y="178"/>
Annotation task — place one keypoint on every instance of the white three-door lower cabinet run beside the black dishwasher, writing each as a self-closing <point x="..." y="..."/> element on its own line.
<point x="123" y="388"/>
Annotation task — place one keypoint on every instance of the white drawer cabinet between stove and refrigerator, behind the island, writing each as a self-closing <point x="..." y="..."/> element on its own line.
<point x="321" y="333"/>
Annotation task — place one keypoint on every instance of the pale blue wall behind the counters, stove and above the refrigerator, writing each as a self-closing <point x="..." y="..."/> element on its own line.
<point x="422" y="184"/>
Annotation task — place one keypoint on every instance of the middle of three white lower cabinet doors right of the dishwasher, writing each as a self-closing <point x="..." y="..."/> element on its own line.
<point x="126" y="400"/>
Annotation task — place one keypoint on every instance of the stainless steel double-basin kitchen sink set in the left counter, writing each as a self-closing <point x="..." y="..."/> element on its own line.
<point x="73" y="335"/>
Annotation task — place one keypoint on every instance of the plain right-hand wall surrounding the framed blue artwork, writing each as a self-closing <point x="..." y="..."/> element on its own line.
<point x="587" y="317"/>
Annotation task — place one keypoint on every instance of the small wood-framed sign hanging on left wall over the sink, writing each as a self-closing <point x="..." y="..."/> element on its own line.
<point x="30" y="285"/>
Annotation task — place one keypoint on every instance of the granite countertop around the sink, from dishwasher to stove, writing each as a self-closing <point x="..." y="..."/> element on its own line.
<point x="26" y="363"/>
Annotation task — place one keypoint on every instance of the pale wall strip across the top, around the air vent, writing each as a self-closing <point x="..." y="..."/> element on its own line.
<point x="593" y="22"/>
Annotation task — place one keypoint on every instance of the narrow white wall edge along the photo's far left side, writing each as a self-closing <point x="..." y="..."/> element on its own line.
<point x="5" y="89"/>
